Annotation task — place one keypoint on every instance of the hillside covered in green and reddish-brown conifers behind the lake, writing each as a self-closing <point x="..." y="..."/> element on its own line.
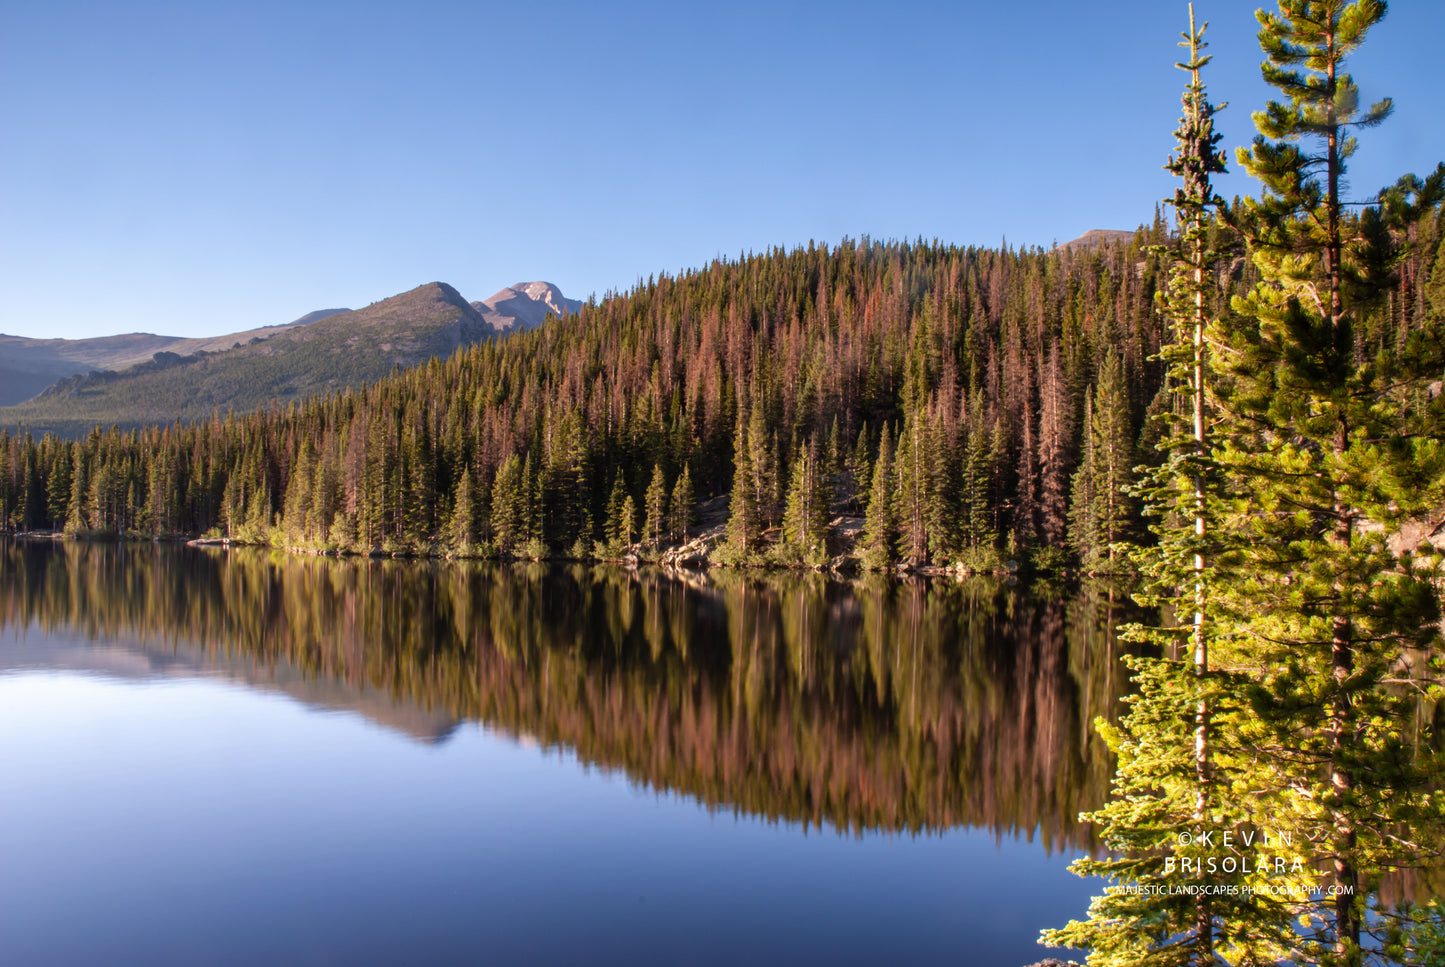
<point x="976" y="405"/>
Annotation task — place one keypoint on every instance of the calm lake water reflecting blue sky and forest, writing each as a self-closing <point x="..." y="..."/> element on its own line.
<point x="241" y="758"/>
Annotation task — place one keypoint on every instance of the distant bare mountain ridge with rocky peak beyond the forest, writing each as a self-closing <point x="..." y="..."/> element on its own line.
<point x="168" y="379"/>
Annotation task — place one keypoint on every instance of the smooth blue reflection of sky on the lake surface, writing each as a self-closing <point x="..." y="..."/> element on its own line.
<point x="191" y="820"/>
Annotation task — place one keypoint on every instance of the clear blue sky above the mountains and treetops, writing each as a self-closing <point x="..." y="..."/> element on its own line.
<point x="197" y="168"/>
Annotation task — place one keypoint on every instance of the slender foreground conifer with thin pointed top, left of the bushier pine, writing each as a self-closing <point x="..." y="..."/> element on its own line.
<point x="1167" y="777"/>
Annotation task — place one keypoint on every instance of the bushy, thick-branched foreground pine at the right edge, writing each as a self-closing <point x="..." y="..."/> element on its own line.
<point x="1327" y="444"/>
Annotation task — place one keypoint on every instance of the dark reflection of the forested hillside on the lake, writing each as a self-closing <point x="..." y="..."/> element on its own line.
<point x="859" y="706"/>
